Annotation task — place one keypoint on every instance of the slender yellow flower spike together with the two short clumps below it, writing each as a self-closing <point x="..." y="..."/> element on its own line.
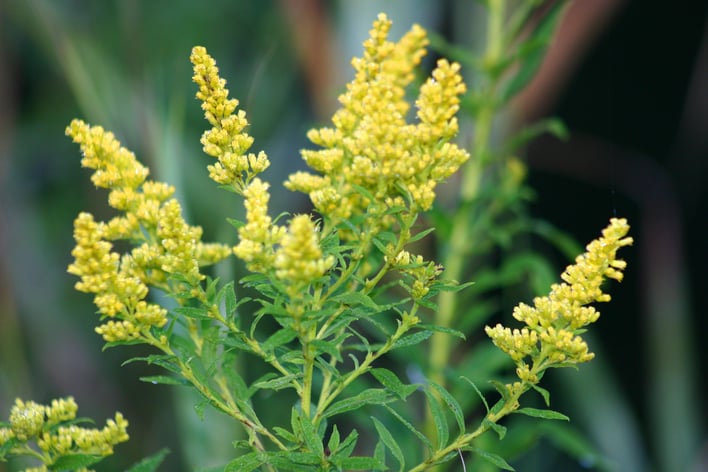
<point x="294" y="252"/>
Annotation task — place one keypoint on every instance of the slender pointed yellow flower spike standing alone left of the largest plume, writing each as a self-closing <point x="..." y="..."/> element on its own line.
<point x="226" y="141"/>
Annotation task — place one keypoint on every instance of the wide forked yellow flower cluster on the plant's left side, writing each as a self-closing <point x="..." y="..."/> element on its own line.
<point x="169" y="246"/>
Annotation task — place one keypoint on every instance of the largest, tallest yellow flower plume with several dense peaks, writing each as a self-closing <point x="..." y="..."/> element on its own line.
<point x="372" y="146"/>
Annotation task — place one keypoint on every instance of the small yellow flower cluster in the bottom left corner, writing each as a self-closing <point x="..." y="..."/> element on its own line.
<point x="30" y="421"/>
